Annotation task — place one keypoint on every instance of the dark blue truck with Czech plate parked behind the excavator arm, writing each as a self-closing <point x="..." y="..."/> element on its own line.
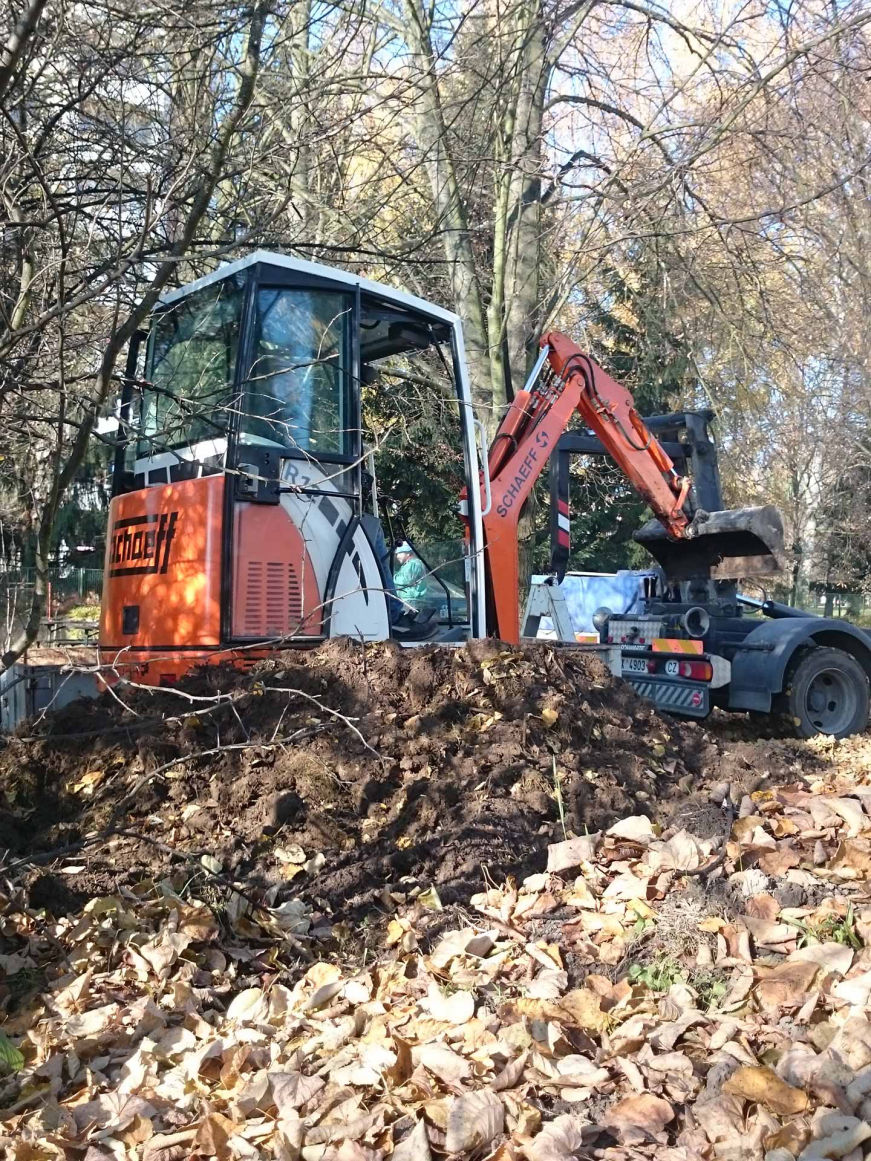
<point x="693" y="641"/>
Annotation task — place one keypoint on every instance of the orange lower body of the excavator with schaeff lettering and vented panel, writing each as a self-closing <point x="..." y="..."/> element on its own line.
<point x="164" y="574"/>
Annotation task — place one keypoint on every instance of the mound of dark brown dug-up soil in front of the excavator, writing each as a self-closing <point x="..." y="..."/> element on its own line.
<point x="336" y="775"/>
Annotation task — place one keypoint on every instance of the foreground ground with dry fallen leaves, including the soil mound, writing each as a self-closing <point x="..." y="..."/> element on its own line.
<point x="689" y="980"/>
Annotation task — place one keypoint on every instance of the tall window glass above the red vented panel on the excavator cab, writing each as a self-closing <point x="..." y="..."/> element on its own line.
<point x="297" y="395"/>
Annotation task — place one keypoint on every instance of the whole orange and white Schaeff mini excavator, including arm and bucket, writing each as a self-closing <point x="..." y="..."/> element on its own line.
<point x="247" y="509"/>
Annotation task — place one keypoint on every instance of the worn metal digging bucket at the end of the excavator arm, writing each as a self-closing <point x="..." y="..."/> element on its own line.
<point x="721" y="546"/>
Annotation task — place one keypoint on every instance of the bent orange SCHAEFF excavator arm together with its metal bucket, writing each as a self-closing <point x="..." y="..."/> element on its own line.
<point x="565" y="383"/>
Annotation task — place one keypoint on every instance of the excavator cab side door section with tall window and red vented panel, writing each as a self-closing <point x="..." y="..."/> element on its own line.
<point x="301" y="566"/>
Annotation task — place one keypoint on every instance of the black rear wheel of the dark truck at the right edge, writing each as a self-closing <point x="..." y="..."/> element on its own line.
<point x="827" y="694"/>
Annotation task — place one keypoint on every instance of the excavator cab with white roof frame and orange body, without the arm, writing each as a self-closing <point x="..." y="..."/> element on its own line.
<point x="247" y="508"/>
